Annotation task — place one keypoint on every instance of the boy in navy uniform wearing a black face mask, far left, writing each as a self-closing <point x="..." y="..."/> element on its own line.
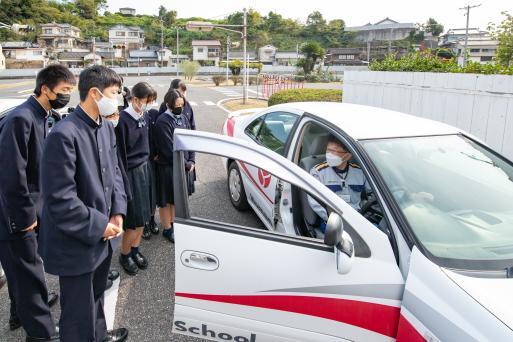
<point x="22" y="133"/>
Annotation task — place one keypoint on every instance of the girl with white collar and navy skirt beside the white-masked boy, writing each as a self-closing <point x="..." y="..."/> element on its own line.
<point x="132" y="134"/>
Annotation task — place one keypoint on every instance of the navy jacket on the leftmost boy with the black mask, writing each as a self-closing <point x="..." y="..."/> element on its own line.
<point x="22" y="134"/>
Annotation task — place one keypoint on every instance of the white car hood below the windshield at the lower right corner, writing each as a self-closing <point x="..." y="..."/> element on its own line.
<point x="494" y="294"/>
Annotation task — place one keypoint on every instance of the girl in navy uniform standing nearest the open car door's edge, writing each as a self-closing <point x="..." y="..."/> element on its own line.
<point x="172" y="119"/>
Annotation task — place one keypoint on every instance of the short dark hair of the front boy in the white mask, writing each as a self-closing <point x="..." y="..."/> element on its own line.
<point x="99" y="77"/>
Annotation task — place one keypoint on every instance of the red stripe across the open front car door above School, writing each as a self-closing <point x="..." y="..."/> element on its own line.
<point x="379" y="318"/>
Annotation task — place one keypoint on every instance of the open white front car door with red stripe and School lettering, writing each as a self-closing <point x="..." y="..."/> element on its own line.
<point x="236" y="283"/>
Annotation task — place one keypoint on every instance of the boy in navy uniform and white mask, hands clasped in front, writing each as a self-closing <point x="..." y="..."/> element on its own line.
<point x="84" y="205"/>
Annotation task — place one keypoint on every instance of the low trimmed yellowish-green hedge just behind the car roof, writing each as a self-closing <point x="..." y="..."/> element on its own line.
<point x="305" y="95"/>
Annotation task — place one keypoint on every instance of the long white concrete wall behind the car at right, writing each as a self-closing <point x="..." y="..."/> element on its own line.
<point x="479" y="104"/>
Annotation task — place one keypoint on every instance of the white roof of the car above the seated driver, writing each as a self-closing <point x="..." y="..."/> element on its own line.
<point x="365" y="122"/>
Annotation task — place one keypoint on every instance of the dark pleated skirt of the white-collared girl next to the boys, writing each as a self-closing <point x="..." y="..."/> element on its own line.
<point x="139" y="208"/>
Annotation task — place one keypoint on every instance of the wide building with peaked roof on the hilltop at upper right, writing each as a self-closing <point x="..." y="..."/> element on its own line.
<point x="384" y="30"/>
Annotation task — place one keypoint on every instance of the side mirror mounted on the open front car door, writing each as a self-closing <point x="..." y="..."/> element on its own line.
<point x="341" y="241"/>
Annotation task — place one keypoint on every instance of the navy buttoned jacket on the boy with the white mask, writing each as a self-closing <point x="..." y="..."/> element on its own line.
<point x="82" y="188"/>
